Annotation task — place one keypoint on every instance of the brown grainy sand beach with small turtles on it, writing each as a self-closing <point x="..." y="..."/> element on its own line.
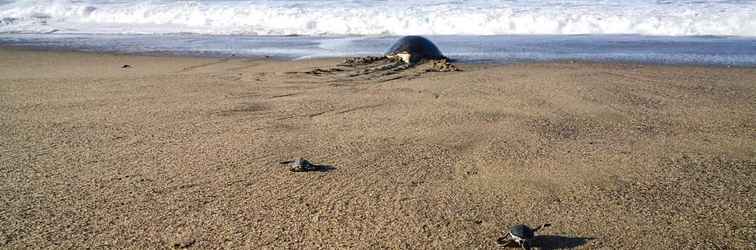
<point x="184" y="152"/>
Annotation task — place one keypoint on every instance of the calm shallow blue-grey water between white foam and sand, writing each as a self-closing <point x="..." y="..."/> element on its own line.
<point x="703" y="50"/>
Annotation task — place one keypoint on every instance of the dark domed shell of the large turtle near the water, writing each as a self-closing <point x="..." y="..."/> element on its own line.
<point x="419" y="48"/>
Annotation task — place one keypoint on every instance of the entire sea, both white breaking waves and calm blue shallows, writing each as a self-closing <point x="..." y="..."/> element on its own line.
<point x="718" y="32"/>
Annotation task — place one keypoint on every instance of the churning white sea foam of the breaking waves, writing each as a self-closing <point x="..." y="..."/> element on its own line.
<point x="394" y="17"/>
